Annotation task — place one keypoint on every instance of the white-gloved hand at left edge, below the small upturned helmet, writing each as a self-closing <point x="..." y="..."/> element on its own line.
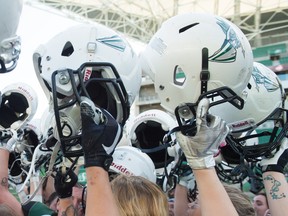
<point x="8" y="140"/>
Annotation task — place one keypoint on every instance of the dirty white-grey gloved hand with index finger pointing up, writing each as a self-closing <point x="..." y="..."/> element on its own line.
<point x="211" y="131"/>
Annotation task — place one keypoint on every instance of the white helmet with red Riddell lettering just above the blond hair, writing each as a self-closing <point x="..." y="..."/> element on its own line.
<point x="129" y="160"/>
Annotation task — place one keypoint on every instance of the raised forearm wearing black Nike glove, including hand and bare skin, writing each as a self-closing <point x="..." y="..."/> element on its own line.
<point x="100" y="135"/>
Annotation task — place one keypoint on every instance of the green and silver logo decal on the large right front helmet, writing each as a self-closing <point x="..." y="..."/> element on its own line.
<point x="228" y="51"/>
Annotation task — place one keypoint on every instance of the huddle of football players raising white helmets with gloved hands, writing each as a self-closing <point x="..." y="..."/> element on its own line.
<point x="222" y="124"/>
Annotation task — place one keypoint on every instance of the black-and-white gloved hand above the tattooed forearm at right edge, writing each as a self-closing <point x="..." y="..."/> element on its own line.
<point x="279" y="159"/>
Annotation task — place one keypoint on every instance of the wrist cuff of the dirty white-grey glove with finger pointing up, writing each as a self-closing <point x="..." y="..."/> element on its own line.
<point x="201" y="162"/>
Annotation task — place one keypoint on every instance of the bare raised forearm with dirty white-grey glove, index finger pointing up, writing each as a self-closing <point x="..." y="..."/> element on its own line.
<point x="199" y="151"/>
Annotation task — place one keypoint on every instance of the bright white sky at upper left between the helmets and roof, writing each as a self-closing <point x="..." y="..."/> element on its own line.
<point x="37" y="25"/>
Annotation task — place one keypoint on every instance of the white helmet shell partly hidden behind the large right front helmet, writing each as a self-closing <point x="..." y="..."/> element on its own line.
<point x="264" y="94"/>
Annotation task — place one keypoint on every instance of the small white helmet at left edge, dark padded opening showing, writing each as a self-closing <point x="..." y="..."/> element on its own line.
<point x="18" y="106"/>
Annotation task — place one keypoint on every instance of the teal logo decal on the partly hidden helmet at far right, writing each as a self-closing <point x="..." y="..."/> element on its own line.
<point x="259" y="78"/>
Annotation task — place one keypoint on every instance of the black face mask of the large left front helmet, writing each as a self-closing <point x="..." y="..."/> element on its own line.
<point x="98" y="89"/>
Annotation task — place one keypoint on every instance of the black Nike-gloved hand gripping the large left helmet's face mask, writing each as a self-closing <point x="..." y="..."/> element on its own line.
<point x="100" y="135"/>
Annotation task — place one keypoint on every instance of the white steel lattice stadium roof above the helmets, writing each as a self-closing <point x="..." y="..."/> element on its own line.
<point x="260" y="20"/>
